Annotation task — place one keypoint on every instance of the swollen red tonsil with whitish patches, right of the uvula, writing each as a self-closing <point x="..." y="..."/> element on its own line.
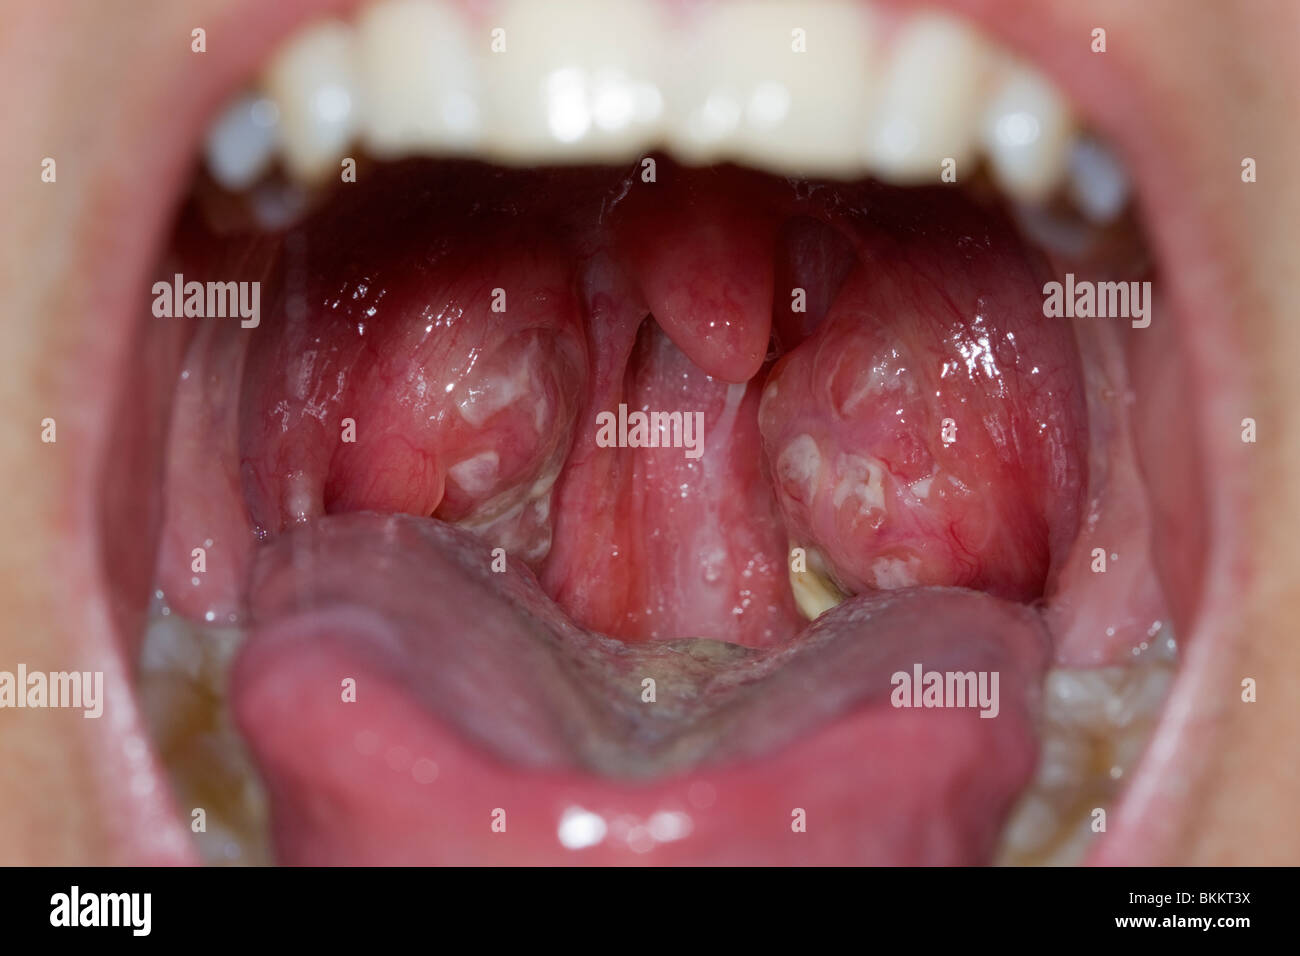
<point x="918" y="443"/>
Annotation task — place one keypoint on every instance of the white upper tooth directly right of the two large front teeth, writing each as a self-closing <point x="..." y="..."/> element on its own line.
<point x="929" y="102"/>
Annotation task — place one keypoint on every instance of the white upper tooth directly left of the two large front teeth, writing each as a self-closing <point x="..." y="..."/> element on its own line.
<point x="419" y="79"/>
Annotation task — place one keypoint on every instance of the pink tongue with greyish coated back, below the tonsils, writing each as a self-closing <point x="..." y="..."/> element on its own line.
<point x="406" y="704"/>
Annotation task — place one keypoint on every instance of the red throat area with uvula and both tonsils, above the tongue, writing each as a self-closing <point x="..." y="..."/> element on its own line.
<point x="915" y="438"/>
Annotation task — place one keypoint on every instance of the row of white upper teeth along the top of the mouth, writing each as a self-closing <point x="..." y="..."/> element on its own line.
<point x="817" y="88"/>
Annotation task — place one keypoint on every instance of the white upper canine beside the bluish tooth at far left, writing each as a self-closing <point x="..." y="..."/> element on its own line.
<point x="314" y="84"/>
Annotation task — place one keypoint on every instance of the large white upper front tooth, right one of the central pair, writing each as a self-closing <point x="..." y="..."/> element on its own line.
<point x="747" y="93"/>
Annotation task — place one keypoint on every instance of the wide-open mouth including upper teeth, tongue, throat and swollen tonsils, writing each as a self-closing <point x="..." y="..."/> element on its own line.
<point x="609" y="434"/>
